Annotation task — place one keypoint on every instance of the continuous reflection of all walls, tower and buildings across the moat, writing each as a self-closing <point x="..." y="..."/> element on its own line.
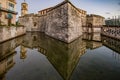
<point x="64" y="57"/>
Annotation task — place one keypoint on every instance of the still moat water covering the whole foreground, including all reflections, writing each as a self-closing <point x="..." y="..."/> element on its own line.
<point x="35" y="56"/>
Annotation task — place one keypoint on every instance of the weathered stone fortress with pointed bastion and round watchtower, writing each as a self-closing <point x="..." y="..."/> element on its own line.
<point x="63" y="21"/>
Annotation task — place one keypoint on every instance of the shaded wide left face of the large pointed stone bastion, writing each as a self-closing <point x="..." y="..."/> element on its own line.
<point x="57" y="23"/>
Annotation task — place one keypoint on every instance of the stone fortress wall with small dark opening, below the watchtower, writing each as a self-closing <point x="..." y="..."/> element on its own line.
<point x="33" y="22"/>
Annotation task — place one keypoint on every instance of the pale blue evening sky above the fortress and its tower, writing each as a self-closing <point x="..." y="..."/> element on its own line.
<point x="105" y="8"/>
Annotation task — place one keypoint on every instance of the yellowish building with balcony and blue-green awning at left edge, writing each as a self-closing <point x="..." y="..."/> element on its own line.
<point x="7" y="12"/>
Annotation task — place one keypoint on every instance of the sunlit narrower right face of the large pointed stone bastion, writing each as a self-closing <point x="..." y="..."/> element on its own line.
<point x="74" y="23"/>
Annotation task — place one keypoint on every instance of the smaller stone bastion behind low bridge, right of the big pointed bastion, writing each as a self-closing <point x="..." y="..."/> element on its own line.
<point x="93" y="23"/>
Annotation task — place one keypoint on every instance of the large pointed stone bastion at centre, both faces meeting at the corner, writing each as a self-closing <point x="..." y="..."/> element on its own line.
<point x="64" y="22"/>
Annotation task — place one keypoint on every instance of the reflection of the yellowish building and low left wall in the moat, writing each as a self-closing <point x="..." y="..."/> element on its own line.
<point x="7" y="52"/>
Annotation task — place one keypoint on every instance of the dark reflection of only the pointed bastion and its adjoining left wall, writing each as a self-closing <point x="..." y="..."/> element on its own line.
<point x="62" y="56"/>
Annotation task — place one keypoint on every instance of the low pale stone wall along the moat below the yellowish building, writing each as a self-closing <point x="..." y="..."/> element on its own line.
<point x="7" y="33"/>
